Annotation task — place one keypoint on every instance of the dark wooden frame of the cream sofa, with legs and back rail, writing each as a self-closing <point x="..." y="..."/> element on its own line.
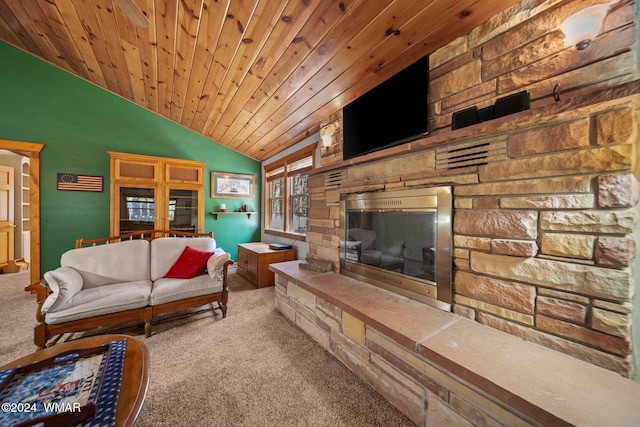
<point x="43" y="332"/>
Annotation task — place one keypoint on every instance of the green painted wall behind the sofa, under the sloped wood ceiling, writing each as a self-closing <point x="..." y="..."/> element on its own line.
<point x="79" y="123"/>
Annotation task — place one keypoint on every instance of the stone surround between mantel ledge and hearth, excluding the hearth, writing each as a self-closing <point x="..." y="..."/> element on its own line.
<point x="543" y="227"/>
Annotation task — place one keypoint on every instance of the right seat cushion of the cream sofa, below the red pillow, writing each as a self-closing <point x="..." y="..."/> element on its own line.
<point x="169" y="290"/>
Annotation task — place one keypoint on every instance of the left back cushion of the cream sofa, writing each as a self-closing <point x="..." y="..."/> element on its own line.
<point x="126" y="261"/>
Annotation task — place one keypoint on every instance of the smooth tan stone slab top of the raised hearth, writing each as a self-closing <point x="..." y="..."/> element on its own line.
<point x="540" y="383"/>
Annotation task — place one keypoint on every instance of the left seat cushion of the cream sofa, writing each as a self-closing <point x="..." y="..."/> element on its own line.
<point x="101" y="300"/>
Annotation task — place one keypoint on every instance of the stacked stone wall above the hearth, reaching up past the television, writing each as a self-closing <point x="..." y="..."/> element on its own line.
<point x="544" y="231"/>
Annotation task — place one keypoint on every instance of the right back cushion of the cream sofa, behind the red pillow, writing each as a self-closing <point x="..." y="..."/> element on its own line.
<point x="166" y="250"/>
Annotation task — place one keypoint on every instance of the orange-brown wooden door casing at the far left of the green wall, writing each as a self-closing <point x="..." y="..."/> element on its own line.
<point x="30" y="150"/>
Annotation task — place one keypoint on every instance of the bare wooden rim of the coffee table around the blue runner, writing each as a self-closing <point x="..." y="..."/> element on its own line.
<point x="135" y="372"/>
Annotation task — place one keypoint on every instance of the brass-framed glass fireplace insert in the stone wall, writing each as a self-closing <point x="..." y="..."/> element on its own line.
<point x="400" y="241"/>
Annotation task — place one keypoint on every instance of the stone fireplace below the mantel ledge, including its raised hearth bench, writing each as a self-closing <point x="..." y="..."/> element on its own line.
<point x="544" y="250"/>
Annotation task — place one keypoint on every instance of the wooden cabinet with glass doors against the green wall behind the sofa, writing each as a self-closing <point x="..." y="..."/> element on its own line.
<point x="156" y="193"/>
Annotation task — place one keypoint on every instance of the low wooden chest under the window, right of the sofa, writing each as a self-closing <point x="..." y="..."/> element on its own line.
<point x="254" y="260"/>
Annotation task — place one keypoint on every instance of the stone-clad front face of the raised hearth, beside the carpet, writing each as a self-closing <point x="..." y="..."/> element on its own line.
<point x="423" y="392"/>
